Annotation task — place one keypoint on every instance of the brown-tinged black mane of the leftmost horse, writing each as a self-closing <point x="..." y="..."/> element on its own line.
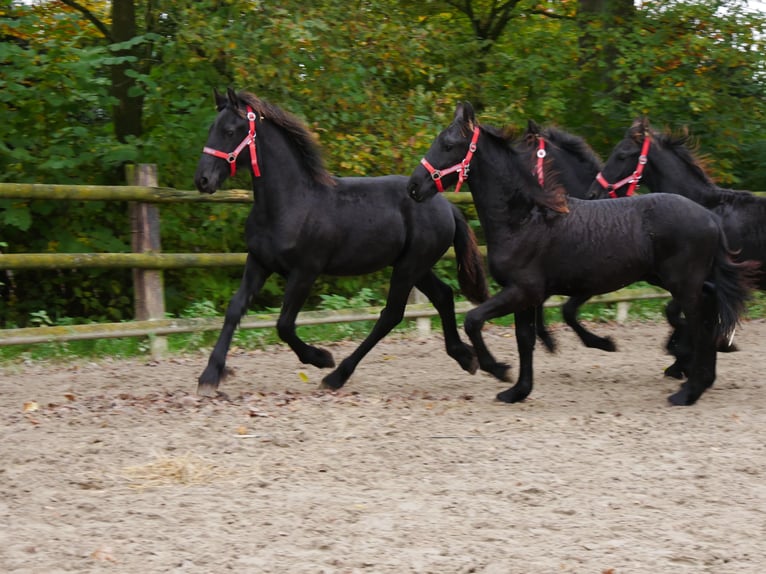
<point x="305" y="142"/>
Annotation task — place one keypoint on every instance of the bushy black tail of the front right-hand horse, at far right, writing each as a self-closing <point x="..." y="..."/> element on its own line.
<point x="733" y="282"/>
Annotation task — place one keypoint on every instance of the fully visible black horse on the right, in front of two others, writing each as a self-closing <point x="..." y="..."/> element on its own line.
<point x="540" y="243"/>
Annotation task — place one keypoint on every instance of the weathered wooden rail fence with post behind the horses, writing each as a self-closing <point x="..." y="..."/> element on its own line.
<point x="148" y="262"/>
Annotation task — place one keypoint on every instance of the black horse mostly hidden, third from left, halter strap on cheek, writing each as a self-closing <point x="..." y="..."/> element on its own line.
<point x="576" y="166"/>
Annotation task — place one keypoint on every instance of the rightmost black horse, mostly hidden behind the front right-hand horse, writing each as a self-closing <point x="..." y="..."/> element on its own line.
<point x="666" y="164"/>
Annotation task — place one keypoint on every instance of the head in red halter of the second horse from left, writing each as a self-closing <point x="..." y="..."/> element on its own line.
<point x="453" y="147"/>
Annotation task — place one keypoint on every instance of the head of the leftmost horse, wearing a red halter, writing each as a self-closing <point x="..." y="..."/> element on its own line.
<point x="232" y="133"/>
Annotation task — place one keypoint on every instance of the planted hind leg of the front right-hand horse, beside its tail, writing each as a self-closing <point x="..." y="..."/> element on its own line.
<point x="701" y="326"/>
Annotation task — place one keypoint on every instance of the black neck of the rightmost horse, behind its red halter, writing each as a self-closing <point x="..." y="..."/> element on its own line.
<point x="667" y="173"/>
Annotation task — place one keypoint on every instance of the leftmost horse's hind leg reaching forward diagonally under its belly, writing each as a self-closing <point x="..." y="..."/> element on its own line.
<point x="391" y="315"/>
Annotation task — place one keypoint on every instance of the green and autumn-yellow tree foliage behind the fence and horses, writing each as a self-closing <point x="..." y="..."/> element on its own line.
<point x="89" y="85"/>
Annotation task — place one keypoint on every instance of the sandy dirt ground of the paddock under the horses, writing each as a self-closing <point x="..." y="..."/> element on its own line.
<point x="118" y="466"/>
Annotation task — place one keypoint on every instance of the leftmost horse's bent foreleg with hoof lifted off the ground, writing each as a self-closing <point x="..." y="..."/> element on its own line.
<point x="297" y="290"/>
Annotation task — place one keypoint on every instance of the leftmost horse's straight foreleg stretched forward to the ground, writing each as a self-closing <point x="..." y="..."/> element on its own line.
<point x="253" y="279"/>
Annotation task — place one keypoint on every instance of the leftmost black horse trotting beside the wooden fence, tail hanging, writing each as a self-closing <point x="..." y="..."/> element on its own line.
<point x="305" y="222"/>
